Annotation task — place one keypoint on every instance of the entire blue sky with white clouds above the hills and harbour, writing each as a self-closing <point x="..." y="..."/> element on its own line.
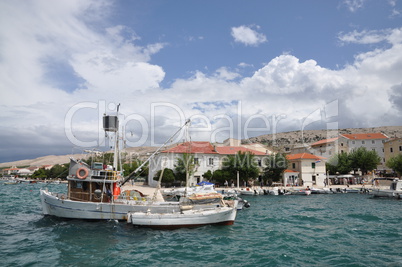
<point x="228" y="65"/>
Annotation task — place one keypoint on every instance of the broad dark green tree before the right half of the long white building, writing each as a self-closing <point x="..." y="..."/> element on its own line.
<point x="244" y="163"/>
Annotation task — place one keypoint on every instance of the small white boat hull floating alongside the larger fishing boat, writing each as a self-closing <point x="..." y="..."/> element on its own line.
<point x="188" y="218"/>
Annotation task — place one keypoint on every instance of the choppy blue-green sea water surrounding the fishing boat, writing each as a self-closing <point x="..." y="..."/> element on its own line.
<point x="315" y="230"/>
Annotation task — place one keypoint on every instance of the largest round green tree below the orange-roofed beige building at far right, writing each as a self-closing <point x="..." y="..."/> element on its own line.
<point x="363" y="159"/>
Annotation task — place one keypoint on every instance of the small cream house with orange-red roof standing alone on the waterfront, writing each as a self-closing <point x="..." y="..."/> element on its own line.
<point x="310" y="168"/>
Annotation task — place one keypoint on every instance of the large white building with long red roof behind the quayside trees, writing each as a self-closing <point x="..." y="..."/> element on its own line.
<point x="206" y="157"/>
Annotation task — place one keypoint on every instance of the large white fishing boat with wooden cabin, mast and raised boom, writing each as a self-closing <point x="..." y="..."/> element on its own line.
<point x="94" y="192"/>
